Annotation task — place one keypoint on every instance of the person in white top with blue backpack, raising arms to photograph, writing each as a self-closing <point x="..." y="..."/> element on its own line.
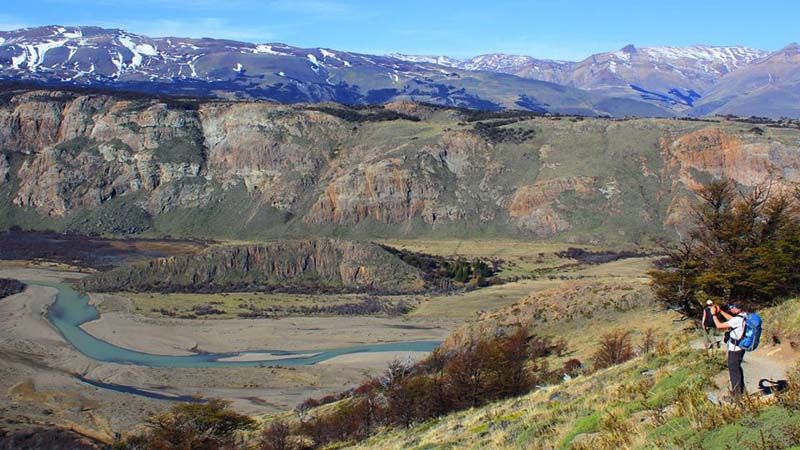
<point x="743" y="334"/>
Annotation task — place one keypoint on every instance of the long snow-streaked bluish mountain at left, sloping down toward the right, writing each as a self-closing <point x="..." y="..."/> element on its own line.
<point x="116" y="59"/>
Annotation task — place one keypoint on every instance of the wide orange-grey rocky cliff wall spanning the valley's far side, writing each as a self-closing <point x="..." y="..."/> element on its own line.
<point x="236" y="169"/>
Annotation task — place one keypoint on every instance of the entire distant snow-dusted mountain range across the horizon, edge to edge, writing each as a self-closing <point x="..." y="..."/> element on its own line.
<point x="652" y="81"/>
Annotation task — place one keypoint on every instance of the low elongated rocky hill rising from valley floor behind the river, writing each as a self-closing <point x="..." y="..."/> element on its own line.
<point x="295" y="266"/>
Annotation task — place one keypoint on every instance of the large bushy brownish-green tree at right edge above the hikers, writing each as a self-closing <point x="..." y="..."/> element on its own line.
<point x="744" y="247"/>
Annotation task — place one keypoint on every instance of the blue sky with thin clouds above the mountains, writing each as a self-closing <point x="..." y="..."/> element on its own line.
<point x="559" y="29"/>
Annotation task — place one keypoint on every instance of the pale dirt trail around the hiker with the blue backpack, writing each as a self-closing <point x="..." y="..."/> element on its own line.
<point x="768" y="362"/>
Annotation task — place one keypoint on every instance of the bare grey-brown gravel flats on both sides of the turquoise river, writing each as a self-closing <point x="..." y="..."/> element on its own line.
<point x="37" y="366"/>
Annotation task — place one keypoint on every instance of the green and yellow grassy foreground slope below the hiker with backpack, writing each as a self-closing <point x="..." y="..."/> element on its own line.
<point x="656" y="401"/>
